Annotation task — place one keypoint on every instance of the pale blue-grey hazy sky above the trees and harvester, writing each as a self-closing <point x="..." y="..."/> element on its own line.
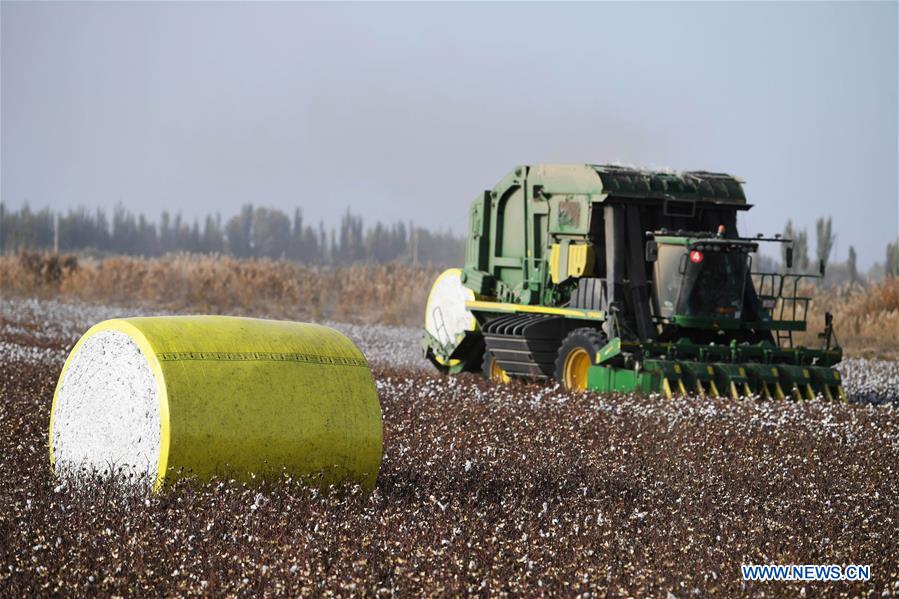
<point x="407" y="111"/>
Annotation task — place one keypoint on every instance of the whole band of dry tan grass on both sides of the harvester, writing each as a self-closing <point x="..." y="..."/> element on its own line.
<point x="866" y="318"/>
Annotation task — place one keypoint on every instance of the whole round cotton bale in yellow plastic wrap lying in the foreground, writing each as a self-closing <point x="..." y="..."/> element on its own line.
<point x="239" y="396"/>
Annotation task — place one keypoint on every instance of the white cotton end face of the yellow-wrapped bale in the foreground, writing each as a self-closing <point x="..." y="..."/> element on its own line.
<point x="107" y="418"/>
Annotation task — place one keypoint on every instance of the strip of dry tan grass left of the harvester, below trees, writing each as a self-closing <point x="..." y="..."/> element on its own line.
<point x="389" y="294"/>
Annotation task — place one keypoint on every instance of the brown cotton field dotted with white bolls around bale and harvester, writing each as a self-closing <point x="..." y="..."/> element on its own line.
<point x="485" y="489"/>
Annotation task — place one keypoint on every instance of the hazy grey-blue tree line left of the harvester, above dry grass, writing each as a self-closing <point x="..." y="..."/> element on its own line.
<point x="254" y="232"/>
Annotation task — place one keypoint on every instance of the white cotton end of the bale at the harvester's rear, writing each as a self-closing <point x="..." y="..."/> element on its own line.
<point x="446" y="316"/>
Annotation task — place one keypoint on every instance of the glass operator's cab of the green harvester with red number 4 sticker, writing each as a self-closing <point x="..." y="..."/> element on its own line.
<point x="701" y="280"/>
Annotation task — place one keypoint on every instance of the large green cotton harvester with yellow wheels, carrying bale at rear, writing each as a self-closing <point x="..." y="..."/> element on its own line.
<point x="614" y="279"/>
